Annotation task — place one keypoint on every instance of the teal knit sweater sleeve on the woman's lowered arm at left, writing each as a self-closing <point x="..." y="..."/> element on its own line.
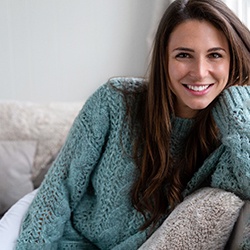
<point x="68" y="178"/>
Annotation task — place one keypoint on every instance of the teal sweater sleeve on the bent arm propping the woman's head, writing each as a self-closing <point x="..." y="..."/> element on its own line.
<point x="232" y="116"/>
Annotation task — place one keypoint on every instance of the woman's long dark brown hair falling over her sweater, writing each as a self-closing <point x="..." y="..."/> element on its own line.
<point x="159" y="186"/>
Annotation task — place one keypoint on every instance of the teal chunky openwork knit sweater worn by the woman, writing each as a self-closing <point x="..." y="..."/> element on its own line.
<point x="84" y="201"/>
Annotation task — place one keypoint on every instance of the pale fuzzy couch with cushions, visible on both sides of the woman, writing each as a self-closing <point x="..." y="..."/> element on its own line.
<point x="31" y="136"/>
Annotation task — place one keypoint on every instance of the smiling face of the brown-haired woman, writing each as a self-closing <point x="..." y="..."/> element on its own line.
<point x="198" y="65"/>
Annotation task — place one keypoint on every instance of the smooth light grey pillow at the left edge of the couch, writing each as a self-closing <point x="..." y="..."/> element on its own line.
<point x="16" y="160"/>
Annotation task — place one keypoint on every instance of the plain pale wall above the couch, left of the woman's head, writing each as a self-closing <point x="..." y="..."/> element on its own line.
<point x="62" y="50"/>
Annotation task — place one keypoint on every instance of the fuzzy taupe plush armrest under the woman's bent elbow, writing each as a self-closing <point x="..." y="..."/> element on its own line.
<point x="204" y="220"/>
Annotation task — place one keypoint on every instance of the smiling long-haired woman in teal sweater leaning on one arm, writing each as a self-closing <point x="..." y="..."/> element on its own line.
<point x="139" y="146"/>
